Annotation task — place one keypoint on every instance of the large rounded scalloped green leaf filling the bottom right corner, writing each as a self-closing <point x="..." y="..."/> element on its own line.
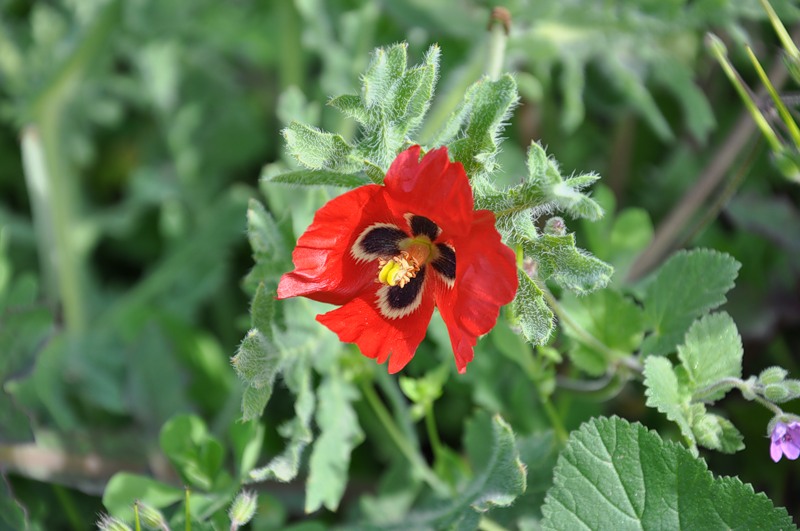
<point x="617" y="475"/>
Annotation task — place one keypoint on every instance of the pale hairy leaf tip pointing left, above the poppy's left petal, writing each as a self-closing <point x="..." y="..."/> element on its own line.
<point x="318" y="150"/>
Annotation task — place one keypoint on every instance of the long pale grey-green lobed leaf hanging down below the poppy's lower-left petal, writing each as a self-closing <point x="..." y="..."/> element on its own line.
<point x="339" y="434"/>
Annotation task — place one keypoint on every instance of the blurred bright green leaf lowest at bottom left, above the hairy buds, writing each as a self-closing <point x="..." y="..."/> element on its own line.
<point x="125" y="488"/>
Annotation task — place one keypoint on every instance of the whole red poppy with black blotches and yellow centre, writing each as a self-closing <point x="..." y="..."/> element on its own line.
<point x="389" y="254"/>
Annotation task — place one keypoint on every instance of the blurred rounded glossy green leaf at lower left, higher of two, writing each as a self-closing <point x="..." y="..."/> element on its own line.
<point x="196" y="454"/>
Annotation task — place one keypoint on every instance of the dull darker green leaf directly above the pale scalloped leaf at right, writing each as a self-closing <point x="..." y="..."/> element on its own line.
<point x="688" y="285"/>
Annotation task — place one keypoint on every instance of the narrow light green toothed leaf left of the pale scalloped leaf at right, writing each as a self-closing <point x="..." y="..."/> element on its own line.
<point x="665" y="394"/>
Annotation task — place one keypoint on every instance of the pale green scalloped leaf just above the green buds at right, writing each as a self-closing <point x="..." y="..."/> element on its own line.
<point x="712" y="350"/>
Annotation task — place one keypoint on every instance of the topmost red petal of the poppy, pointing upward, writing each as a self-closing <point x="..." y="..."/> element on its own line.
<point x="433" y="187"/>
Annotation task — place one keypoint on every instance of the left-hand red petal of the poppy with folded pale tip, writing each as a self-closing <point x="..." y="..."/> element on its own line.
<point x="325" y="270"/>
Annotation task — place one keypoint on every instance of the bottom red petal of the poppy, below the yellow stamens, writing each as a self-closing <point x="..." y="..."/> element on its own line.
<point x="377" y="337"/>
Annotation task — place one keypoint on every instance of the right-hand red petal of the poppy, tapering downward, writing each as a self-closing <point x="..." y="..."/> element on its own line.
<point x="486" y="279"/>
